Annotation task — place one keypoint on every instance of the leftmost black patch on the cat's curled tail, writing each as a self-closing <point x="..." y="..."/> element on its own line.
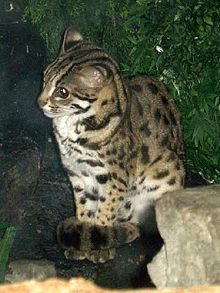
<point x="70" y="238"/>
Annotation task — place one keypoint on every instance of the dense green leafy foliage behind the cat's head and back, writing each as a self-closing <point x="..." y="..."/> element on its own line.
<point x="177" y="41"/>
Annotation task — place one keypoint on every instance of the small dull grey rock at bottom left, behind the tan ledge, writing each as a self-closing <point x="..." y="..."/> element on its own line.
<point x="30" y="269"/>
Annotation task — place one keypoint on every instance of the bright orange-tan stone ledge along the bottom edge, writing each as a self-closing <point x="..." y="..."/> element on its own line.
<point x="82" y="286"/>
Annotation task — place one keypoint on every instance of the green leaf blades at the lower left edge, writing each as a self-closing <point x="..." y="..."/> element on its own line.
<point x="5" y="247"/>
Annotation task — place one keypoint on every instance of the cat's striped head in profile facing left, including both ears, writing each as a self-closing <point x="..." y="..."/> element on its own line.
<point x="83" y="81"/>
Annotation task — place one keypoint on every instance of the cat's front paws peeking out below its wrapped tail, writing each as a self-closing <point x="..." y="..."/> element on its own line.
<point x="95" y="256"/>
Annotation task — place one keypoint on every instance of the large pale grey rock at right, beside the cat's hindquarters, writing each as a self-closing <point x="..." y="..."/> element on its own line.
<point x="189" y="223"/>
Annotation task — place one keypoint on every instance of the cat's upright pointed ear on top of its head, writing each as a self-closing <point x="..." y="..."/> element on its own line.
<point x="71" y="36"/>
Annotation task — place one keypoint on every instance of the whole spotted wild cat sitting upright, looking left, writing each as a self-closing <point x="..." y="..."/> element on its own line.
<point x="120" y="143"/>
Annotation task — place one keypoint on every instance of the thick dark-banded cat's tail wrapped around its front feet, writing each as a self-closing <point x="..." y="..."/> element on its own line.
<point x="85" y="236"/>
